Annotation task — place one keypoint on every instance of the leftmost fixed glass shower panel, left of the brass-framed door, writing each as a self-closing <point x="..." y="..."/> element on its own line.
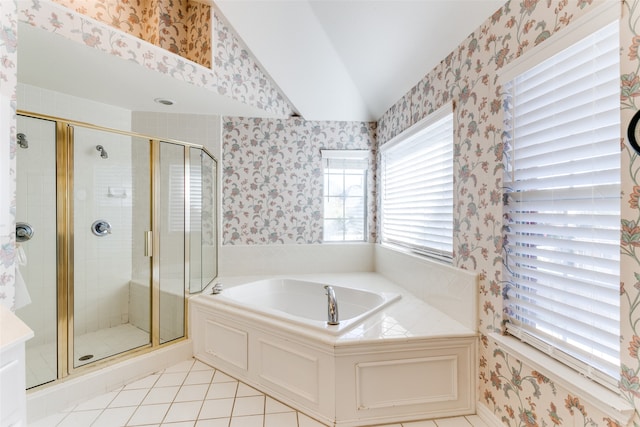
<point x="36" y="285"/>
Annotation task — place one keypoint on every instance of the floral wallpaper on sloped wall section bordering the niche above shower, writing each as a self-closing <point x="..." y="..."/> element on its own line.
<point x="238" y="79"/>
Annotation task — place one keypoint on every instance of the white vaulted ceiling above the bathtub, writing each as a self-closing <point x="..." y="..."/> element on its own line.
<point x="352" y="59"/>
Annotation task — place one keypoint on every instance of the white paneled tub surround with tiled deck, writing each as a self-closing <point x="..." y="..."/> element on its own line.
<point x="406" y="361"/>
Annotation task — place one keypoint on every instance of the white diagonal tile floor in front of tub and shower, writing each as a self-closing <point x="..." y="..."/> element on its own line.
<point x="192" y="394"/>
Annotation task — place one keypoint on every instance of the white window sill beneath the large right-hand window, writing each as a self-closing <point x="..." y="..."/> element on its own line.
<point x="605" y="400"/>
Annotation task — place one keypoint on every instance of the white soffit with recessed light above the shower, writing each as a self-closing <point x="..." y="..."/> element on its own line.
<point x="53" y="62"/>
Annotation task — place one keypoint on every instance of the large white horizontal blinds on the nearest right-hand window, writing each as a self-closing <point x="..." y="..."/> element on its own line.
<point x="563" y="205"/>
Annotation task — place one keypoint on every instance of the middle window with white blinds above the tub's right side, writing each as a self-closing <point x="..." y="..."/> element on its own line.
<point x="417" y="188"/>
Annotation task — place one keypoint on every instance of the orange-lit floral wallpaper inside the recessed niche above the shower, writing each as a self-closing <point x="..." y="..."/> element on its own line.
<point x="179" y="26"/>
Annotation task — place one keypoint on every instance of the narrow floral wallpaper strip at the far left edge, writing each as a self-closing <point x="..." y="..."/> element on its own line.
<point x="8" y="82"/>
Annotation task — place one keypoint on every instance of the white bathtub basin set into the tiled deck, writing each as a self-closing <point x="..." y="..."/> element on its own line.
<point x="305" y="302"/>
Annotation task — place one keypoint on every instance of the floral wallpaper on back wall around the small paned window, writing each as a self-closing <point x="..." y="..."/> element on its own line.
<point x="272" y="177"/>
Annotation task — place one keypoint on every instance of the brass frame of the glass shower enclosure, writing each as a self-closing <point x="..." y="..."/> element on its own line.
<point x="65" y="243"/>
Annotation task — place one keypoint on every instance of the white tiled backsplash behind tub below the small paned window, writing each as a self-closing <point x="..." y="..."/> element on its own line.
<point x="251" y="260"/>
